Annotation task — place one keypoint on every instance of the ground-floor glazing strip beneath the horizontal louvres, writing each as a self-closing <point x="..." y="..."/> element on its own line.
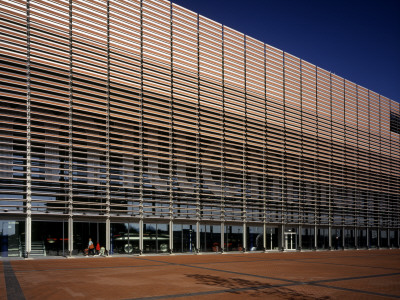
<point x="64" y="237"/>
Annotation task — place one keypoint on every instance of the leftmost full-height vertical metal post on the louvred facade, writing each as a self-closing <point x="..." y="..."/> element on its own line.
<point x="28" y="222"/>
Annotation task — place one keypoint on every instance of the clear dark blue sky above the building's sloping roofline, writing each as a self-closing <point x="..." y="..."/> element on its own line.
<point x="356" y="39"/>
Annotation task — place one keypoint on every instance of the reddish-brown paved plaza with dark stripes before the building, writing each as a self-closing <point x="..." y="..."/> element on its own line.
<point x="362" y="274"/>
